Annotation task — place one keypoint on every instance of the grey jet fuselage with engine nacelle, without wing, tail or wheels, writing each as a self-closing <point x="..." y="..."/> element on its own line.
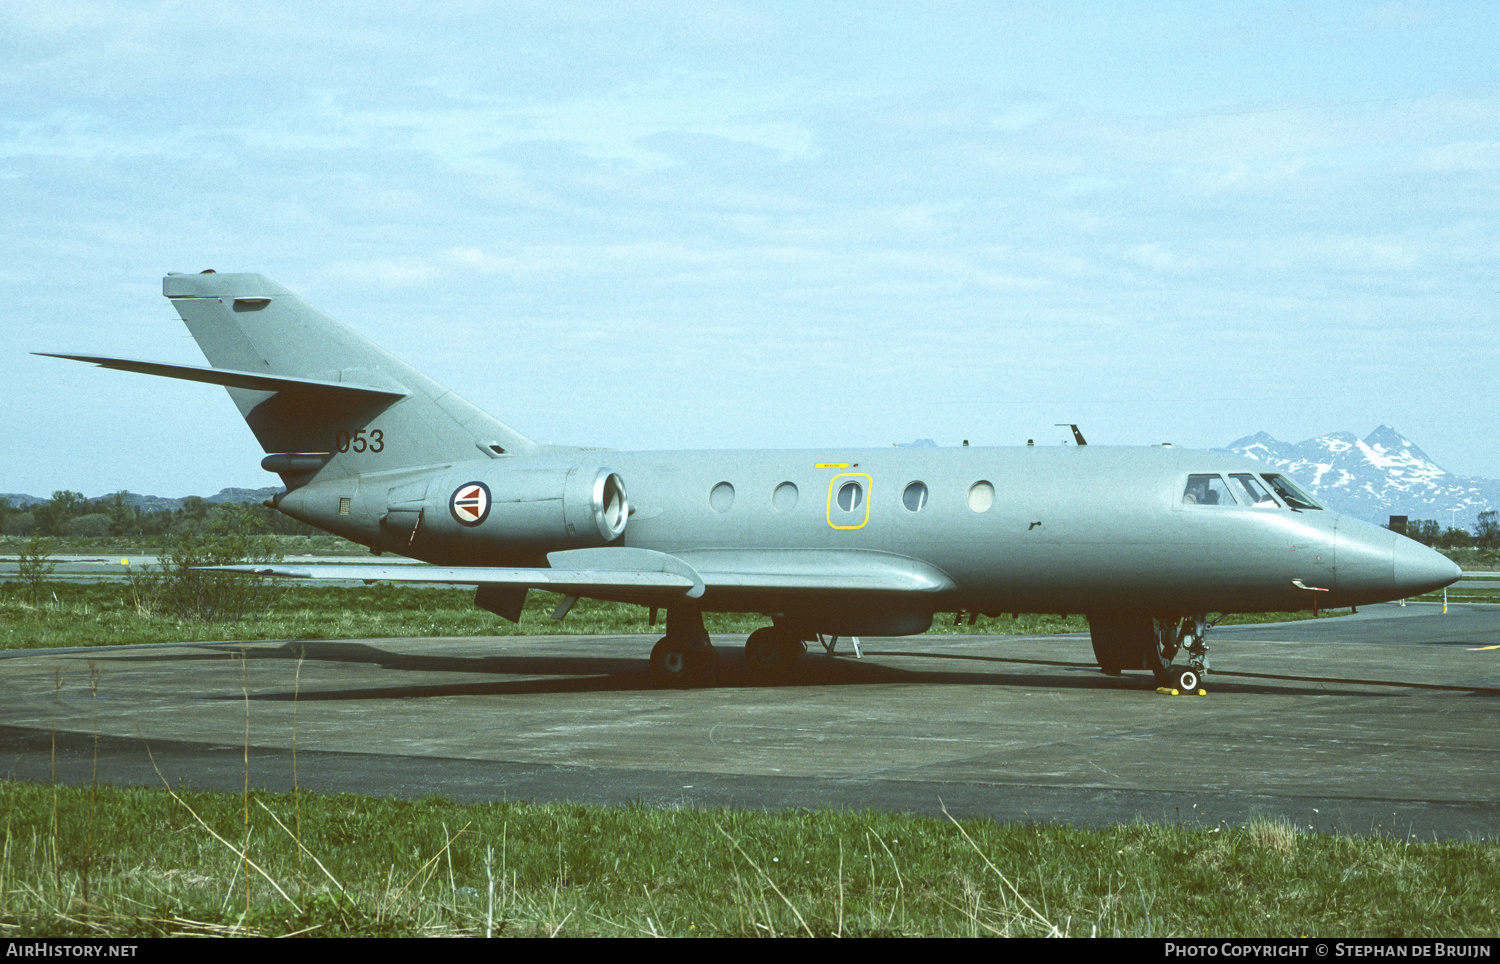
<point x="1075" y="530"/>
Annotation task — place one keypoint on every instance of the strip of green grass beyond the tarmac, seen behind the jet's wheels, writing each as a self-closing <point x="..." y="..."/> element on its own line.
<point x="109" y="615"/>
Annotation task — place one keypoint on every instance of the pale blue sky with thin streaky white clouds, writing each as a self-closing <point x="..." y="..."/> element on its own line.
<point x="751" y="226"/>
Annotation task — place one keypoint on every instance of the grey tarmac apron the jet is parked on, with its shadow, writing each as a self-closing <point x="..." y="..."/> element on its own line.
<point x="1378" y="723"/>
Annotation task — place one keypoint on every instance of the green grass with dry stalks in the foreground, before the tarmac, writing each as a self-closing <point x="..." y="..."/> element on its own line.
<point x="145" y="863"/>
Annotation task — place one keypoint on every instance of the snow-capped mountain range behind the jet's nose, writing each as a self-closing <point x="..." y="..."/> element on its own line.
<point x="1384" y="475"/>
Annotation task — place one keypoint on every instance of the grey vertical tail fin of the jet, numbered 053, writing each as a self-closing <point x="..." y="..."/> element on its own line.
<point x="389" y="416"/>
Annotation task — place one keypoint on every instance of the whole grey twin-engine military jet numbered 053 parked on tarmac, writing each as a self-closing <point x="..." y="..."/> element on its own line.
<point x="1145" y="542"/>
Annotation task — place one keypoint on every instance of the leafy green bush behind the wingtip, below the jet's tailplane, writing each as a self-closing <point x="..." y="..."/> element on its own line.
<point x="233" y="536"/>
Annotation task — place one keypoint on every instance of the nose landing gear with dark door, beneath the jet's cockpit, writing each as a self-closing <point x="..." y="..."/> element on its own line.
<point x="1174" y="650"/>
